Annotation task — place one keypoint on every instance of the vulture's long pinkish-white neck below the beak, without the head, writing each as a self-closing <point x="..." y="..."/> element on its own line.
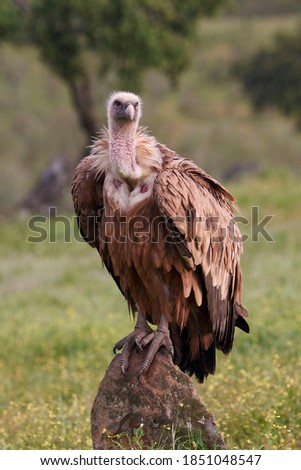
<point x="122" y="149"/>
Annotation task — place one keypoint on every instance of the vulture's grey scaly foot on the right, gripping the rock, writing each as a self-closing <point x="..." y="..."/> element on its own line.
<point x="160" y="337"/>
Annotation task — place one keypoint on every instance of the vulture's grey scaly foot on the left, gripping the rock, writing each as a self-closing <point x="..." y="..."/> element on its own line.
<point x="128" y="343"/>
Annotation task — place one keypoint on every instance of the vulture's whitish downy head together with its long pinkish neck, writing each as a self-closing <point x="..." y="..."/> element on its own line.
<point x="124" y="112"/>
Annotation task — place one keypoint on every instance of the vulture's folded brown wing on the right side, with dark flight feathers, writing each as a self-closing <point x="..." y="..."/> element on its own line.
<point x="199" y="210"/>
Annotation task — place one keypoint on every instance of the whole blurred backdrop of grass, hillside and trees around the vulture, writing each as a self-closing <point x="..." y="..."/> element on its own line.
<point x="220" y="85"/>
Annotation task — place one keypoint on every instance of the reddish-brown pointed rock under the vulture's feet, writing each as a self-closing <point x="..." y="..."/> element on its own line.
<point x="161" y="409"/>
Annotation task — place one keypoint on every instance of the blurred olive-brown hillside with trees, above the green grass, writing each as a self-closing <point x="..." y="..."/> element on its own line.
<point x="60" y="60"/>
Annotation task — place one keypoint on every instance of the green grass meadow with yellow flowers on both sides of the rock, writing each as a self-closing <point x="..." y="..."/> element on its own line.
<point x="61" y="315"/>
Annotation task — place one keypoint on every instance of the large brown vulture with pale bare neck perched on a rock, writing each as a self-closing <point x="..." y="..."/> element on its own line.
<point x="166" y="233"/>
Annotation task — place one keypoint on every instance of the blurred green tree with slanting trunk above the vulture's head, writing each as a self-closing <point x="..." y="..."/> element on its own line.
<point x="126" y="38"/>
